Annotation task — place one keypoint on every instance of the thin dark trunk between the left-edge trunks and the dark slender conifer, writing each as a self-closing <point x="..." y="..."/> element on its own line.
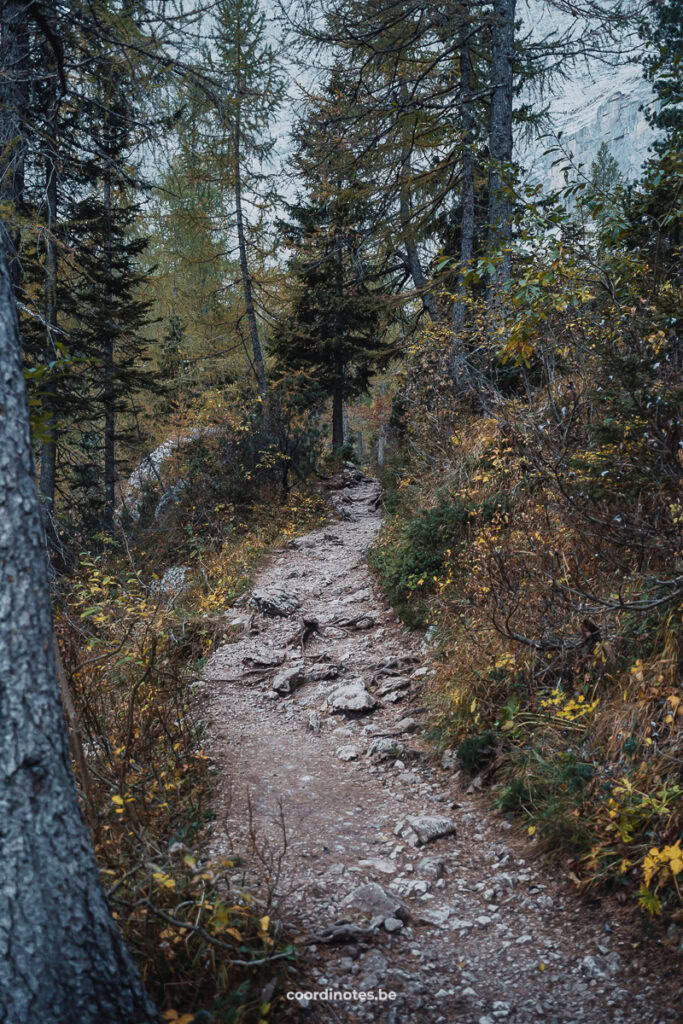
<point x="50" y="447"/>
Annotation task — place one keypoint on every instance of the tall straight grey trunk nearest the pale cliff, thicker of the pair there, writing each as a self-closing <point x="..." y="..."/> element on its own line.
<point x="500" y="141"/>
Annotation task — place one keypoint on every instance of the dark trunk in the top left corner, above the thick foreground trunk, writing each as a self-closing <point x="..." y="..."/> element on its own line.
<point x="14" y="109"/>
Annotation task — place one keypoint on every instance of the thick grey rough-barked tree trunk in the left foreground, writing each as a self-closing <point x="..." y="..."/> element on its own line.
<point x="62" y="957"/>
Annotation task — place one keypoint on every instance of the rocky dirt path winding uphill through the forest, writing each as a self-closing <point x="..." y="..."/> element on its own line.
<point x="460" y="928"/>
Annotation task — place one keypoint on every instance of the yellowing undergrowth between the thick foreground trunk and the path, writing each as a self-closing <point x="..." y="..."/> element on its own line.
<point x="208" y="948"/>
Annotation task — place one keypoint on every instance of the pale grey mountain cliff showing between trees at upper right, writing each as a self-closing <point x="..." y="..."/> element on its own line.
<point x="602" y="102"/>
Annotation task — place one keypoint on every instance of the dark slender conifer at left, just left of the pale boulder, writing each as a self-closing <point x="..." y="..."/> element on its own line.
<point x="110" y="315"/>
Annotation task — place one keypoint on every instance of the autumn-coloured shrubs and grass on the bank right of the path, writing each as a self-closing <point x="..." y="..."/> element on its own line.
<point x="539" y="531"/>
